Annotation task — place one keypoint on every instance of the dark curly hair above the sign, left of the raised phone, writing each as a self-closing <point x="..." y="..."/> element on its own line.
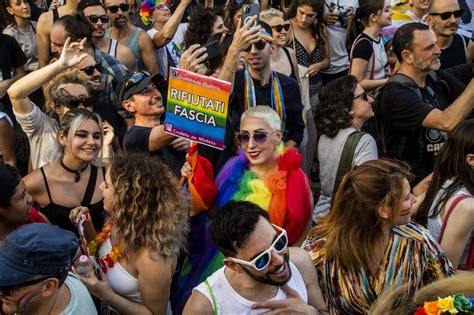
<point x="200" y="26"/>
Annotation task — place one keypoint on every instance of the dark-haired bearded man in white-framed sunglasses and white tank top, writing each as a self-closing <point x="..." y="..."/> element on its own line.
<point x="256" y="265"/>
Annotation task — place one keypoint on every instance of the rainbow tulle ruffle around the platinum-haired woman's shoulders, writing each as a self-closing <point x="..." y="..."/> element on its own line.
<point x="236" y="182"/>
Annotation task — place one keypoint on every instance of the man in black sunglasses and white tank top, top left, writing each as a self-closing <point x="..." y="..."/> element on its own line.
<point x="93" y="11"/>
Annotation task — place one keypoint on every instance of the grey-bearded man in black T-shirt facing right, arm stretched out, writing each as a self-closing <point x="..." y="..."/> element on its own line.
<point x="417" y="107"/>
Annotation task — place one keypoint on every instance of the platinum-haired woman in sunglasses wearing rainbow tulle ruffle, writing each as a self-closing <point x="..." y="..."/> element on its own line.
<point x="266" y="174"/>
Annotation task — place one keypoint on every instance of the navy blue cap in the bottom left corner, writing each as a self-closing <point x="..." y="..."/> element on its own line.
<point x="36" y="249"/>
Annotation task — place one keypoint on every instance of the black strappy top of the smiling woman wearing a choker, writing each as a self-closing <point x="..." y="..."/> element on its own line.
<point x="59" y="215"/>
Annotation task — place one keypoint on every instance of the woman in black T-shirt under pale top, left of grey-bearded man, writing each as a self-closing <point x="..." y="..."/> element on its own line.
<point x="368" y="59"/>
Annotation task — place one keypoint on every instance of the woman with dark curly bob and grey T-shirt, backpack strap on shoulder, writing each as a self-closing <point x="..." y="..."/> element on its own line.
<point x="338" y="116"/>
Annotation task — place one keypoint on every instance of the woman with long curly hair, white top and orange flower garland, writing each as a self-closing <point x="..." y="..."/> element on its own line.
<point x="140" y="242"/>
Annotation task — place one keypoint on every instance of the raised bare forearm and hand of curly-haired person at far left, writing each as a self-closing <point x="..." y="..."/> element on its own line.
<point x="22" y="88"/>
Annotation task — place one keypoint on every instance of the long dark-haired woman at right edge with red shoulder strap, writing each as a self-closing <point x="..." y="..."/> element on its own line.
<point x="448" y="207"/>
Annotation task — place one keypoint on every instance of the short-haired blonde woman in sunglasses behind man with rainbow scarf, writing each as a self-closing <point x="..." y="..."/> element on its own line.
<point x="282" y="59"/>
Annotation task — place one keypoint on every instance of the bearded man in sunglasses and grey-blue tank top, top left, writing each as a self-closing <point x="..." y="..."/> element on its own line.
<point x="130" y="35"/>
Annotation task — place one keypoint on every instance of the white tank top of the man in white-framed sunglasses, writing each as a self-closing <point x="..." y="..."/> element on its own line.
<point x="228" y="301"/>
